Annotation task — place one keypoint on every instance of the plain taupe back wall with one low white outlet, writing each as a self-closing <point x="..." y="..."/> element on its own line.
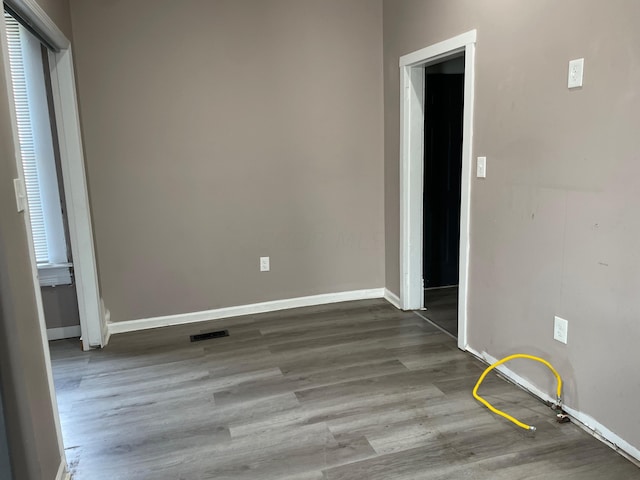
<point x="217" y="132"/>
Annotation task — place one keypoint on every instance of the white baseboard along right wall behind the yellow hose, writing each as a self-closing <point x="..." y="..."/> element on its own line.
<point x="586" y="422"/>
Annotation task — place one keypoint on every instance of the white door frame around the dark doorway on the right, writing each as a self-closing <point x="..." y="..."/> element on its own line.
<point x="411" y="171"/>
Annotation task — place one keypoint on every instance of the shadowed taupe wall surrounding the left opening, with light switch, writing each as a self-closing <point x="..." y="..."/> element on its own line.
<point x="29" y="414"/>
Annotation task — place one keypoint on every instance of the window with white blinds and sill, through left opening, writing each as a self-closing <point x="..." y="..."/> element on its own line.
<point x="38" y="156"/>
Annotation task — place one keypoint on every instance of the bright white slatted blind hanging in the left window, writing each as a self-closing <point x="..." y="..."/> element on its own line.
<point x="27" y="139"/>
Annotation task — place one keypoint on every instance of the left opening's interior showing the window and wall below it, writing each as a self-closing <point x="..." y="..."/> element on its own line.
<point x="40" y="156"/>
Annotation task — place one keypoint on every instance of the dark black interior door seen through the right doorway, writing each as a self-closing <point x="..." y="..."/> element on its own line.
<point x="444" y="97"/>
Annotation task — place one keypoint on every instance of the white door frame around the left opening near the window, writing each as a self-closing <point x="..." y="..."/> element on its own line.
<point x="92" y="324"/>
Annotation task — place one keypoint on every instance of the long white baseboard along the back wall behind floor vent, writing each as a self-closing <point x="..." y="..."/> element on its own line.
<point x="228" y="312"/>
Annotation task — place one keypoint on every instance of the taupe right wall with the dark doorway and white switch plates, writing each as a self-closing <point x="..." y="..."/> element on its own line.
<point x="555" y="226"/>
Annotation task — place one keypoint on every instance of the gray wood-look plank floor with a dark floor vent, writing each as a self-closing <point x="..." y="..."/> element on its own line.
<point x="342" y="392"/>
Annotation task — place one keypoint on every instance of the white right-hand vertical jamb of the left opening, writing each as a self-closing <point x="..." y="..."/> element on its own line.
<point x="77" y="198"/>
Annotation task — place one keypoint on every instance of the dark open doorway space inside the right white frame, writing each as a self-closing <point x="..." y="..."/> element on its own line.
<point x="443" y="134"/>
